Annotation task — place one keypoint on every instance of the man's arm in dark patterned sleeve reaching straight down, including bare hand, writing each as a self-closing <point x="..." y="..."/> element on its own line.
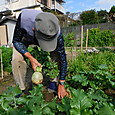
<point x="63" y="65"/>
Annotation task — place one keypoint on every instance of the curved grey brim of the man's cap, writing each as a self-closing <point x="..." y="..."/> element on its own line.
<point x="47" y="45"/>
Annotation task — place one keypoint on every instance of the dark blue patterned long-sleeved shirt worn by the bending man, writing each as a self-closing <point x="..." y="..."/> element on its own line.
<point x="21" y="45"/>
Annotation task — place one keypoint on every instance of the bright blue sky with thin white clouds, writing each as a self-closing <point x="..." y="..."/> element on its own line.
<point x="74" y="6"/>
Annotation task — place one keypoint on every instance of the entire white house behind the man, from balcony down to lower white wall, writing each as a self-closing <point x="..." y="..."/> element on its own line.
<point x="10" y="10"/>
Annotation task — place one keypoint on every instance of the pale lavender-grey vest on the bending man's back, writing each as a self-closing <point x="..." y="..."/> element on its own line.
<point x="27" y="20"/>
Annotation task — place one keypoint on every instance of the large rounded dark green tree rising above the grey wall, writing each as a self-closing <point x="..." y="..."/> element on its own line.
<point x="89" y="17"/>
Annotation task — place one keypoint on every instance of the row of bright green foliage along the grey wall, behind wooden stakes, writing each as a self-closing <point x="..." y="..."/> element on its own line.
<point x="96" y="38"/>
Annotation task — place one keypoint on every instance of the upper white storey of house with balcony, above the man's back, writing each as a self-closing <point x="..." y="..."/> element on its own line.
<point x="17" y="5"/>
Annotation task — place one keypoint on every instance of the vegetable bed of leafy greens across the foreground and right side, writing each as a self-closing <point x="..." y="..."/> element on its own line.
<point x="89" y="78"/>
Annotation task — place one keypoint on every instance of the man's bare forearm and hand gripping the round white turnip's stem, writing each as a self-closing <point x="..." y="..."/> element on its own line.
<point x="33" y="61"/>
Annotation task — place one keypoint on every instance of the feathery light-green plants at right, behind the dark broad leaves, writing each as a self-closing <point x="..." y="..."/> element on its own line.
<point x="86" y="62"/>
